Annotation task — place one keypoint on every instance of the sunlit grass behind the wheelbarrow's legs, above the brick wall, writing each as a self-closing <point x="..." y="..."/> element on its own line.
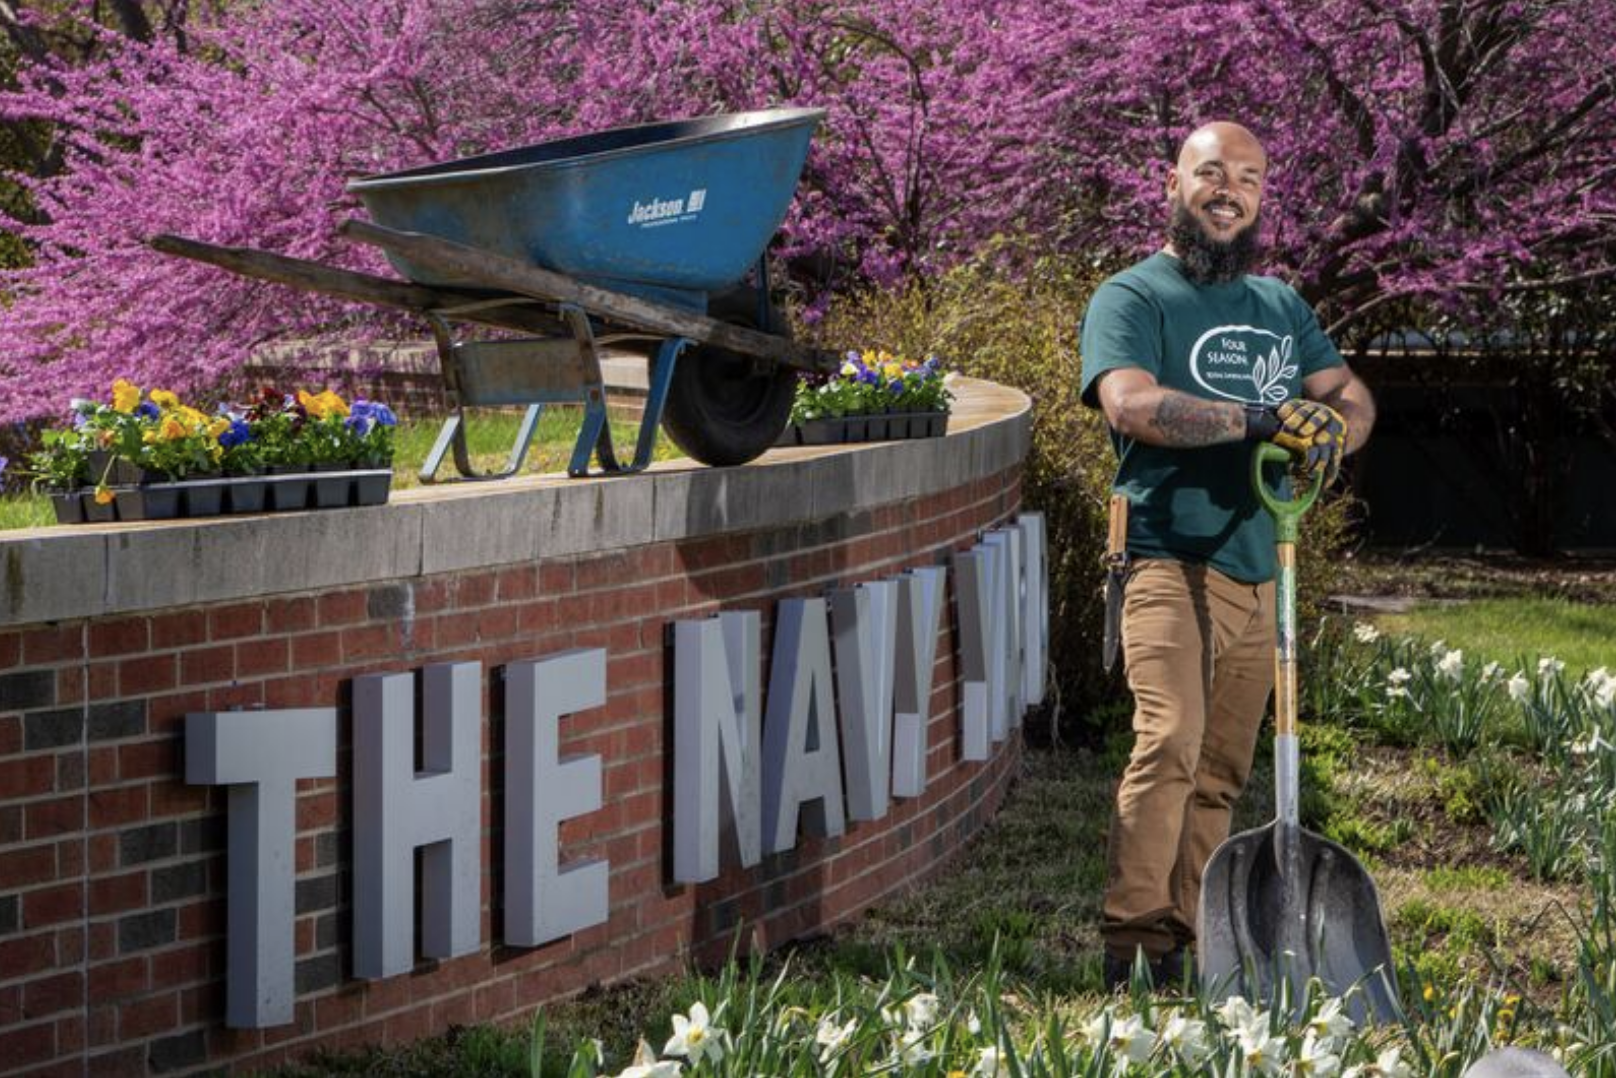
<point x="490" y="434"/>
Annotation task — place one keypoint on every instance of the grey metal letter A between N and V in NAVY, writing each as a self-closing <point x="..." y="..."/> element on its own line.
<point x="802" y="762"/>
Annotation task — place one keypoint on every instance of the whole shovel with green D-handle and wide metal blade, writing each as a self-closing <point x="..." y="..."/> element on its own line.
<point x="1279" y="904"/>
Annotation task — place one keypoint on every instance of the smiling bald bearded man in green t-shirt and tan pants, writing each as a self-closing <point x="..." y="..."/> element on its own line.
<point x="1192" y="358"/>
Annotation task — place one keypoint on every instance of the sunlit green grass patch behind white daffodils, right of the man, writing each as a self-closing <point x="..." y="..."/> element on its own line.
<point x="1509" y="630"/>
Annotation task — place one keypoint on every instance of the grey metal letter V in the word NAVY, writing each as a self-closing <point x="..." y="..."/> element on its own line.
<point x="865" y="623"/>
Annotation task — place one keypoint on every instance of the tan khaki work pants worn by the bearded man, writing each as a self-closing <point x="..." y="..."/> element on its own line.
<point x="1200" y="660"/>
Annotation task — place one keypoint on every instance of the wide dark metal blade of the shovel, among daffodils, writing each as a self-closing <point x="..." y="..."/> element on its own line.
<point x="1284" y="906"/>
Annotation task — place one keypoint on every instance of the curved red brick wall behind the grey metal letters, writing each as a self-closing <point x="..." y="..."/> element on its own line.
<point x="112" y="869"/>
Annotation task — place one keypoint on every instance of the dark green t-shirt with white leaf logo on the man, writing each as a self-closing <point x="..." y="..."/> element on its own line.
<point x="1252" y="342"/>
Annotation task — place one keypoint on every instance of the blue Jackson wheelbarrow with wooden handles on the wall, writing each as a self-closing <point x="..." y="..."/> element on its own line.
<point x="638" y="238"/>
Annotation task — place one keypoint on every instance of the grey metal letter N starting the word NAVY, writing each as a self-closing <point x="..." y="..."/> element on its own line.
<point x="718" y="743"/>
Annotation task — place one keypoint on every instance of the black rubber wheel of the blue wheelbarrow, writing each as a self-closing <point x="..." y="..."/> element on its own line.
<point x="722" y="410"/>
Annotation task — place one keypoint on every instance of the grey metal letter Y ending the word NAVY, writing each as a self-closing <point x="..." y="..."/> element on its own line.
<point x="919" y="613"/>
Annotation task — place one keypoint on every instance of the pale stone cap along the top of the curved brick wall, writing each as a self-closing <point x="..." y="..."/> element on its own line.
<point x="98" y="570"/>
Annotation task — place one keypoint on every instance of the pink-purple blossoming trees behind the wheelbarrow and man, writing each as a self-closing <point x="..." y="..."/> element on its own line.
<point x="1429" y="154"/>
